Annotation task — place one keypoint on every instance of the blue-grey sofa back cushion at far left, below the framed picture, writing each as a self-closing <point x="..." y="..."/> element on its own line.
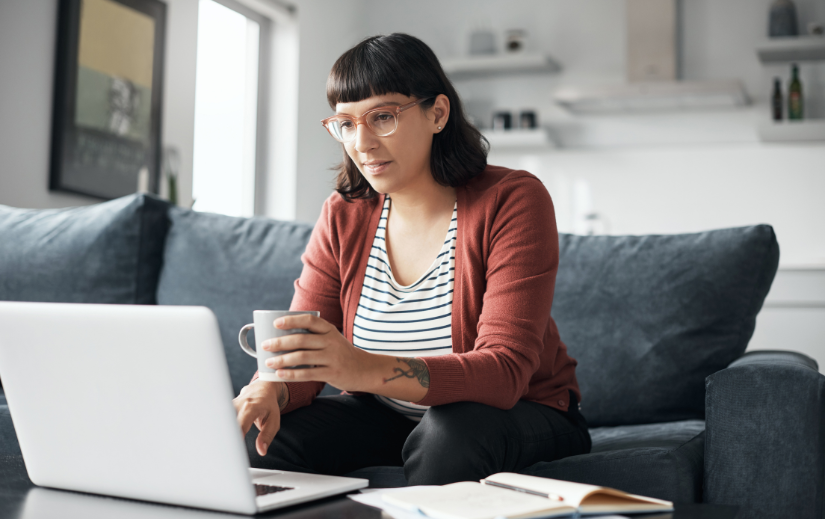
<point x="104" y="253"/>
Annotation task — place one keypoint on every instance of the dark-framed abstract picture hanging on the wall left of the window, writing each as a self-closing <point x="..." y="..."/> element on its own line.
<point x="107" y="97"/>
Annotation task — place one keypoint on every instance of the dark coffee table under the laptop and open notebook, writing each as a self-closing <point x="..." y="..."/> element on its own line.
<point x="20" y="499"/>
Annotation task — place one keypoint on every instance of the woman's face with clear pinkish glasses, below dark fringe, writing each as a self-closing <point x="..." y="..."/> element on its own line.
<point x="402" y="159"/>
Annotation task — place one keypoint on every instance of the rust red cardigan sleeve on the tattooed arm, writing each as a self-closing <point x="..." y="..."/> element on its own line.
<point x="521" y="263"/>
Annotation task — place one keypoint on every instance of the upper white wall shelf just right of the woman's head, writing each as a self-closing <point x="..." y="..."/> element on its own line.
<point x="499" y="65"/>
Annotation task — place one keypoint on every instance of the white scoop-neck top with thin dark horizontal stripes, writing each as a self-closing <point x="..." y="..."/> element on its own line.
<point x="406" y="321"/>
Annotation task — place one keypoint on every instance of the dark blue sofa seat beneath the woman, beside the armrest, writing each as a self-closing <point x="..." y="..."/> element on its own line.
<point x="661" y="460"/>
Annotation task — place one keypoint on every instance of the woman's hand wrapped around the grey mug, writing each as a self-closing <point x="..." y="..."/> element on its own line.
<point x="334" y="359"/>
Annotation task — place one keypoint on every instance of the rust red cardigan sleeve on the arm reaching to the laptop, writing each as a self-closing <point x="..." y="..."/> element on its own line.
<point x="318" y="288"/>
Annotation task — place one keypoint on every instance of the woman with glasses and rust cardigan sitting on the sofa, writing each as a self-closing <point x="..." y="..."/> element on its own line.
<point x="439" y="270"/>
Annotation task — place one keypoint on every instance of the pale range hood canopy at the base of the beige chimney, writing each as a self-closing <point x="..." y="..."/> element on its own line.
<point x="654" y="96"/>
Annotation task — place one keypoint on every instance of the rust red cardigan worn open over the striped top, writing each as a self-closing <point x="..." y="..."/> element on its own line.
<point x="506" y="347"/>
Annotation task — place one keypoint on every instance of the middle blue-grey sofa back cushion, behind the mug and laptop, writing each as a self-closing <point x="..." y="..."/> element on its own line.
<point x="232" y="266"/>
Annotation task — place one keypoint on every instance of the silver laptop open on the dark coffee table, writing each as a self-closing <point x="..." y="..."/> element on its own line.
<point x="136" y="402"/>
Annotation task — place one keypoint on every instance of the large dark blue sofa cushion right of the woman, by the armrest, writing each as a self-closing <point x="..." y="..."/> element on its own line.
<point x="649" y="317"/>
